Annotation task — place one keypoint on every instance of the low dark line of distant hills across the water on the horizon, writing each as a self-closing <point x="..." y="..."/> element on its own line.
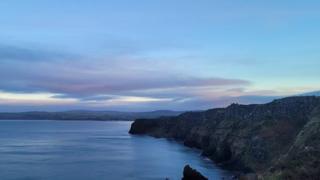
<point x="85" y="115"/>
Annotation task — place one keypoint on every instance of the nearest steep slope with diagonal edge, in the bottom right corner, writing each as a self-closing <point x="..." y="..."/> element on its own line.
<point x="302" y="161"/>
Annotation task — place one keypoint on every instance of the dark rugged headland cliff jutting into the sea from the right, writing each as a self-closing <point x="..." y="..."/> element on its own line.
<point x="278" y="140"/>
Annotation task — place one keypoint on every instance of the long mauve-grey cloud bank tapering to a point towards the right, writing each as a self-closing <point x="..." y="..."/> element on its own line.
<point x="93" y="76"/>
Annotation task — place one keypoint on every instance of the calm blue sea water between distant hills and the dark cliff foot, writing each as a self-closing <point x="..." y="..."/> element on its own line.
<point x="83" y="150"/>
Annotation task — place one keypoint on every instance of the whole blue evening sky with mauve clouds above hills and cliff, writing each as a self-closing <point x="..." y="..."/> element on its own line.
<point x="147" y="55"/>
